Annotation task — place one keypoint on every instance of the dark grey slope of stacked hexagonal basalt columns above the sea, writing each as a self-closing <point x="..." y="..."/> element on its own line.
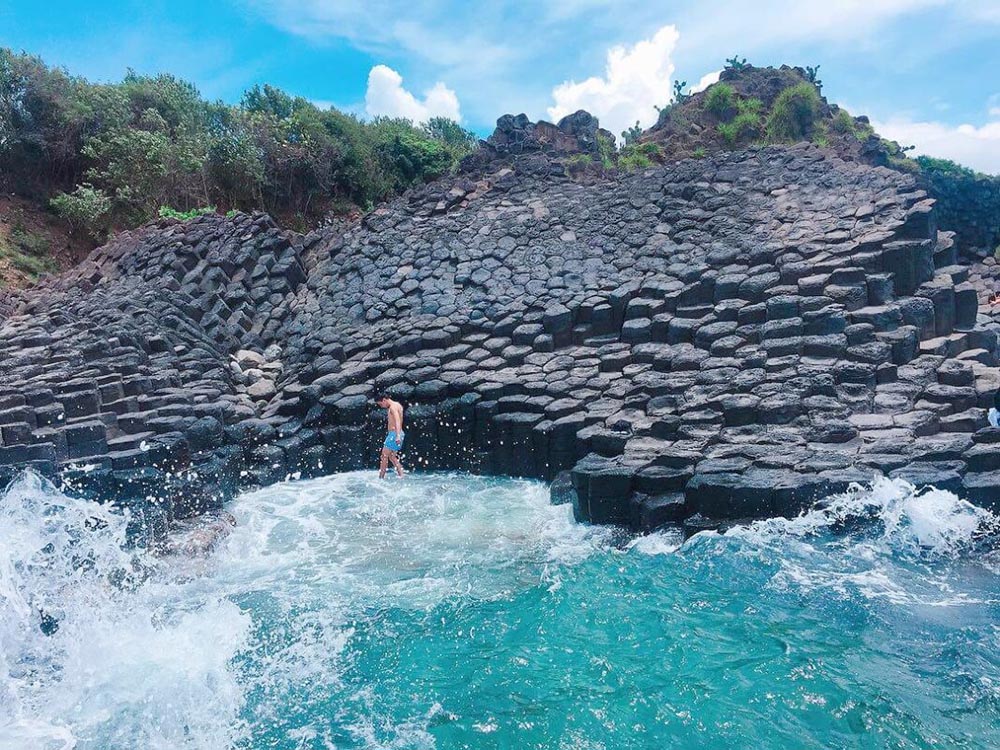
<point x="712" y="338"/>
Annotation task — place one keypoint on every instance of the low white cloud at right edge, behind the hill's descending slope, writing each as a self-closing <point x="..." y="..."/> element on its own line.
<point x="969" y="145"/>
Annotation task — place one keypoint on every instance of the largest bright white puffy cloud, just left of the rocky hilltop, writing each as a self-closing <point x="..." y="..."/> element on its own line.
<point x="636" y="79"/>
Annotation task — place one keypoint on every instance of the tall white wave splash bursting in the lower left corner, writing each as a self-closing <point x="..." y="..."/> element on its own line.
<point x="97" y="647"/>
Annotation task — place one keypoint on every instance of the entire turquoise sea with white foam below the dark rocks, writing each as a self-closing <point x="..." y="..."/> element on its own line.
<point x="448" y="611"/>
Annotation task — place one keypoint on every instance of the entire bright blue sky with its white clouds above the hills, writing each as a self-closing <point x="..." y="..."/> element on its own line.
<point x="925" y="71"/>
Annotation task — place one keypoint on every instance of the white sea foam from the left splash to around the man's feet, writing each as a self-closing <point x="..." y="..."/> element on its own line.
<point x="152" y="653"/>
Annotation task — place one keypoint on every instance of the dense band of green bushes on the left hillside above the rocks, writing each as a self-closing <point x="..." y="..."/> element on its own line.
<point x="110" y="155"/>
